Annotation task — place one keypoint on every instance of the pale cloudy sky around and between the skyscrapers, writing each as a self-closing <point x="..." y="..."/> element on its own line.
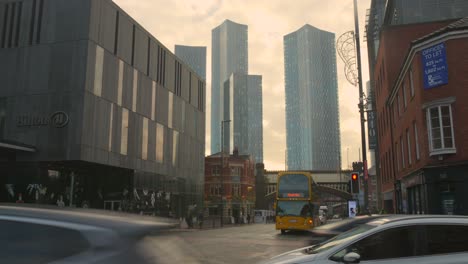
<point x="189" y="22"/>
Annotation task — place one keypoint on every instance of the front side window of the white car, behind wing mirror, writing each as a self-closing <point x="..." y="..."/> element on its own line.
<point x="391" y="243"/>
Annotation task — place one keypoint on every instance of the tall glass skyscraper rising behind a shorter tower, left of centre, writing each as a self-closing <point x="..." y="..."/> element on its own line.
<point x="229" y="55"/>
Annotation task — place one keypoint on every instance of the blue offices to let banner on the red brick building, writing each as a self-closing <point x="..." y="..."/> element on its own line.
<point x="435" y="70"/>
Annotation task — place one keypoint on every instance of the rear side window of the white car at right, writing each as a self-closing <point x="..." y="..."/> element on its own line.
<point x="443" y="239"/>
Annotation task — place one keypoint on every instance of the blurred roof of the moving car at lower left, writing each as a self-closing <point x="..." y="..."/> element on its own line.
<point x="121" y="223"/>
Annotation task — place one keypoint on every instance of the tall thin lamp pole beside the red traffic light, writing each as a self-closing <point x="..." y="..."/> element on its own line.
<point x="361" y="104"/>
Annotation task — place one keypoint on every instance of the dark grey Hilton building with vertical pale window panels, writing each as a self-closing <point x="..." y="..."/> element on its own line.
<point x="111" y="118"/>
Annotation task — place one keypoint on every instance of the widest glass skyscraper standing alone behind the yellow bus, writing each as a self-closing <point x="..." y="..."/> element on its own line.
<point x="311" y="87"/>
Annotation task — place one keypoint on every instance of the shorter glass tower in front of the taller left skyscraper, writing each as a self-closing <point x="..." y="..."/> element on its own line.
<point x="243" y="106"/>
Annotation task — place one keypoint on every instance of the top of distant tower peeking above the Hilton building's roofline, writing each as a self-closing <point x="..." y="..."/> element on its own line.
<point x="194" y="57"/>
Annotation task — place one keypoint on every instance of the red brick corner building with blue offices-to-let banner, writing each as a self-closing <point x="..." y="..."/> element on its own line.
<point x="422" y="124"/>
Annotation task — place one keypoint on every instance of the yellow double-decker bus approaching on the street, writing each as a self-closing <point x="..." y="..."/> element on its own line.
<point x="296" y="208"/>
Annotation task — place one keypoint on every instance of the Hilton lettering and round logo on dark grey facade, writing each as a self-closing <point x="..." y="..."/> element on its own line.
<point x="58" y="119"/>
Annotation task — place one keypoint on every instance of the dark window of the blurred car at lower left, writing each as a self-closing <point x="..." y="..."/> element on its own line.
<point x="33" y="243"/>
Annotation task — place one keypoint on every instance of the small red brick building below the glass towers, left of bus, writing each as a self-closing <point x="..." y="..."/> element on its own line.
<point x="238" y="177"/>
